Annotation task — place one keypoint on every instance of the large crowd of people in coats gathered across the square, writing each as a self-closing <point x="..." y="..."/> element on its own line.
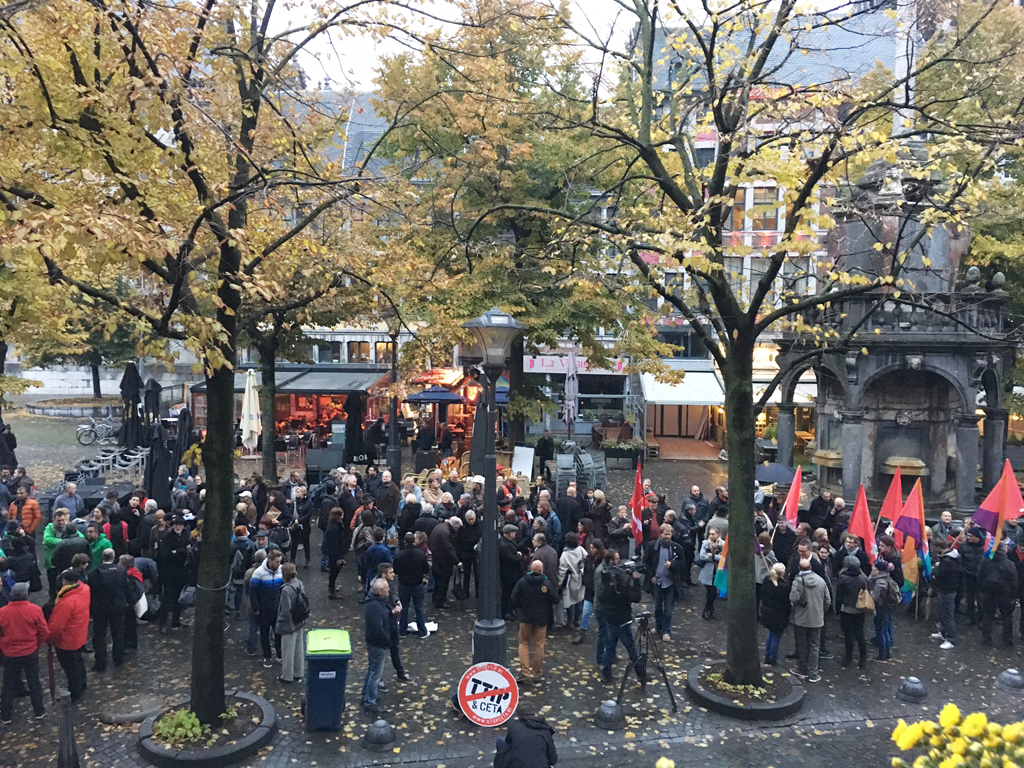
<point x="569" y="564"/>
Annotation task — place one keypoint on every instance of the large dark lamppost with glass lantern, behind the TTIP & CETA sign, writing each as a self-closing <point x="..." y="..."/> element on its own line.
<point x="495" y="332"/>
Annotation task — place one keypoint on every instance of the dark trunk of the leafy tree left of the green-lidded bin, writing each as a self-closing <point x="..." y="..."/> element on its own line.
<point x="219" y="461"/>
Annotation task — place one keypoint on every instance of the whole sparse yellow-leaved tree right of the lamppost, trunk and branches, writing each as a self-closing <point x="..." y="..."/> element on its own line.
<point x="700" y="104"/>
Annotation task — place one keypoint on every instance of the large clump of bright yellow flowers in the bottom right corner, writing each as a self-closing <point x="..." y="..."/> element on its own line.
<point x="961" y="743"/>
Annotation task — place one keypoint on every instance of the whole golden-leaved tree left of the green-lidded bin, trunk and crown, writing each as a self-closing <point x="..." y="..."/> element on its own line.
<point x="174" y="145"/>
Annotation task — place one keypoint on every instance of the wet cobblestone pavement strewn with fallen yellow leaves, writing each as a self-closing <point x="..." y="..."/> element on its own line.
<point x="846" y="719"/>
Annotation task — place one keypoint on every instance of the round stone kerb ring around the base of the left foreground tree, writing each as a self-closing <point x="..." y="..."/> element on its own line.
<point x="168" y="757"/>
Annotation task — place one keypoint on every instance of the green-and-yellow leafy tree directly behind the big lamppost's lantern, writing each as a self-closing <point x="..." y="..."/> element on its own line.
<point x="476" y="117"/>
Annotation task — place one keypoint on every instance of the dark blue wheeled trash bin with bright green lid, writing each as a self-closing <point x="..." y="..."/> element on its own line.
<point x="328" y="654"/>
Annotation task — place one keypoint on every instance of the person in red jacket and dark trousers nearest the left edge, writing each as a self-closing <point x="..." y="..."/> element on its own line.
<point x="23" y="633"/>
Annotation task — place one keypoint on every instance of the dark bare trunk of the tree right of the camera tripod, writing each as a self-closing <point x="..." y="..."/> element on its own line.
<point x="743" y="665"/>
